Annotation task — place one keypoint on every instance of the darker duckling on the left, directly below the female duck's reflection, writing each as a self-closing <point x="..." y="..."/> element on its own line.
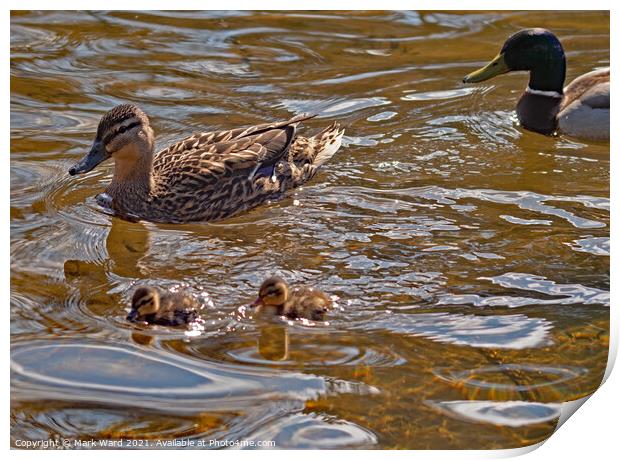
<point x="150" y="305"/>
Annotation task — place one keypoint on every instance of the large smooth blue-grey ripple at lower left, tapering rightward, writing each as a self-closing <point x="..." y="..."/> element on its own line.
<point x="178" y="384"/>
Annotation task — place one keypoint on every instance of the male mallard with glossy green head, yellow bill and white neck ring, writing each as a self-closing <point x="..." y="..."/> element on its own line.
<point x="581" y="109"/>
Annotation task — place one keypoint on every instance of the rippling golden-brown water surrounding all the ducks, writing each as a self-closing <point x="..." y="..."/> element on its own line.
<point x="470" y="258"/>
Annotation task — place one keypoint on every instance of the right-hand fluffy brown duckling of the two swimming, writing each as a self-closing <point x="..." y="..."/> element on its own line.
<point x="299" y="302"/>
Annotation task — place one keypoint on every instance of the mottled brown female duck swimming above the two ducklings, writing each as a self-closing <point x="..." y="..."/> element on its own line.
<point x="207" y="176"/>
